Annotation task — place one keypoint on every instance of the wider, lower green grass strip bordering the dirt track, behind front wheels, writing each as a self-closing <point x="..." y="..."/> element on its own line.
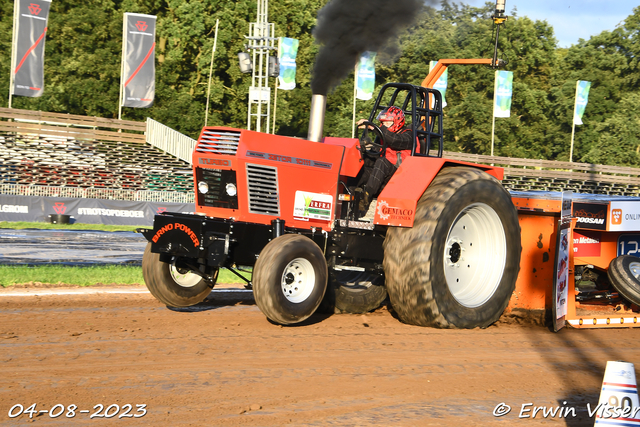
<point x="85" y="276"/>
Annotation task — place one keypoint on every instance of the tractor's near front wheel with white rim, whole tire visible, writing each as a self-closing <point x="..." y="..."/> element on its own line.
<point x="289" y="279"/>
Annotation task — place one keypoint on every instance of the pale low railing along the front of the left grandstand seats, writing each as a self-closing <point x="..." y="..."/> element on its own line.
<point x="97" y="193"/>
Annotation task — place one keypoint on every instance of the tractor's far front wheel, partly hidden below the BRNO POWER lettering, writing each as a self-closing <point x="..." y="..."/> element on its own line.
<point x="171" y="285"/>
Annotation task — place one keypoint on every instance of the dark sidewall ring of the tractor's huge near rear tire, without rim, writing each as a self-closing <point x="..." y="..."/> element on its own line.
<point x="476" y="191"/>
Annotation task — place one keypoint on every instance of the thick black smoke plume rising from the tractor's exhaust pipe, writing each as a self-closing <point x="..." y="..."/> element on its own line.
<point x="347" y="28"/>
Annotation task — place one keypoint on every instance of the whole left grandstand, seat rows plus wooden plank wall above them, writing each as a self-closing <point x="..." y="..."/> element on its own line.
<point x="69" y="151"/>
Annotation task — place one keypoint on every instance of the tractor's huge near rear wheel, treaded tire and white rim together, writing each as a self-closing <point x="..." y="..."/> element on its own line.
<point x="457" y="266"/>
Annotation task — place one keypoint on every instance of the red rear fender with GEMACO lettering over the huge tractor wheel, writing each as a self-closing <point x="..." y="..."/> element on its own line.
<point x="398" y="201"/>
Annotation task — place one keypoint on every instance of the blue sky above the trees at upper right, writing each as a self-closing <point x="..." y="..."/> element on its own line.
<point x="571" y="19"/>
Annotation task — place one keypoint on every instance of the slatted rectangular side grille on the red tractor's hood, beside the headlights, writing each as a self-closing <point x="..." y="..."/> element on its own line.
<point x="262" y="182"/>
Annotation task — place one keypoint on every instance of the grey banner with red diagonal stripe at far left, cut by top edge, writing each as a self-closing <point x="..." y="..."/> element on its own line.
<point x="30" y="28"/>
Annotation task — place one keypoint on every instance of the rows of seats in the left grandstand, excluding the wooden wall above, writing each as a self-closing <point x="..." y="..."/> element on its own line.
<point x="59" y="161"/>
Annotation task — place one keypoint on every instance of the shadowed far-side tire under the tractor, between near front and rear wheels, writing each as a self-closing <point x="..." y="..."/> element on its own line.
<point x="357" y="292"/>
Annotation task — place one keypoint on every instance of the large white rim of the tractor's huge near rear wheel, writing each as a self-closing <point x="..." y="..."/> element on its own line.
<point x="475" y="255"/>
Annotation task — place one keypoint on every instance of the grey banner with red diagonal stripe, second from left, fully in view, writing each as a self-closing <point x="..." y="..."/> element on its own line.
<point x="139" y="69"/>
